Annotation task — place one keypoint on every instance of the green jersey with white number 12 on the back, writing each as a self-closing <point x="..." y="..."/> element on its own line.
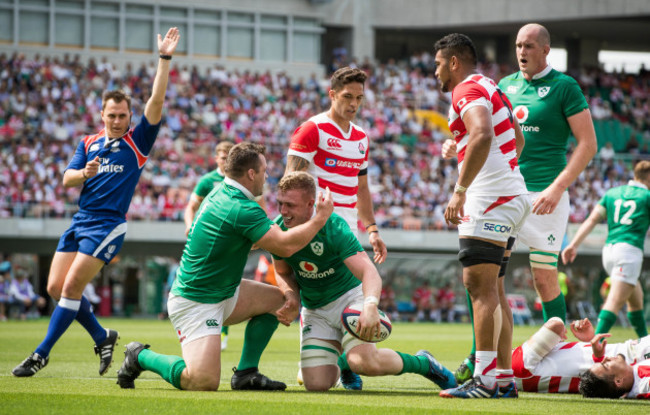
<point x="628" y="213"/>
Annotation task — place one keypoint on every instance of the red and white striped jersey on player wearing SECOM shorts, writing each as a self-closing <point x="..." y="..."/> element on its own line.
<point x="500" y="174"/>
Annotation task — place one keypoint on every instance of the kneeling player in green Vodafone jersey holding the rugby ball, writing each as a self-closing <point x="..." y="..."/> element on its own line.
<point x="329" y="274"/>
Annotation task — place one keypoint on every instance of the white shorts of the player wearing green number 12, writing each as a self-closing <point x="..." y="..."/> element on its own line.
<point x="623" y="262"/>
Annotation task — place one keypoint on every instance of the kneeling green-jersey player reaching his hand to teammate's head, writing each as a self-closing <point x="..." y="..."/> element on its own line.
<point x="209" y="291"/>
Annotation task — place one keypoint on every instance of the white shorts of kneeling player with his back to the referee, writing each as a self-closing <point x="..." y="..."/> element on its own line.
<point x="193" y="320"/>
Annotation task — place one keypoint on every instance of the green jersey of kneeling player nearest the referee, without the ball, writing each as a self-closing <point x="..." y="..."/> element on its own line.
<point x="226" y="226"/>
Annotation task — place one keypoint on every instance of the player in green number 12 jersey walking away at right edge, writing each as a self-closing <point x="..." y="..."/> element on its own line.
<point x="627" y="209"/>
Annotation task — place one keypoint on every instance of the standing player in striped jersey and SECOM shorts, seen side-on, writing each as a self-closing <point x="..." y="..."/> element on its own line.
<point x="489" y="205"/>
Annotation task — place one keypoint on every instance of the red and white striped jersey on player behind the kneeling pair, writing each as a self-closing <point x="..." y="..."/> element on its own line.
<point x="335" y="157"/>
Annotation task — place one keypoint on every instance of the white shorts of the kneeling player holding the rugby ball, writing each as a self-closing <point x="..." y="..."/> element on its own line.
<point x="325" y="323"/>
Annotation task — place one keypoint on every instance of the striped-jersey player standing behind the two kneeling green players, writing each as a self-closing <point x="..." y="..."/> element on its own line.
<point x="334" y="150"/>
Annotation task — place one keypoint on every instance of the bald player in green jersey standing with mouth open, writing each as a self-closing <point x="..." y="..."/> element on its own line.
<point x="549" y="106"/>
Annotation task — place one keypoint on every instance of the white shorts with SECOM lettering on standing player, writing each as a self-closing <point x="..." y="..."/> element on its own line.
<point x="493" y="217"/>
